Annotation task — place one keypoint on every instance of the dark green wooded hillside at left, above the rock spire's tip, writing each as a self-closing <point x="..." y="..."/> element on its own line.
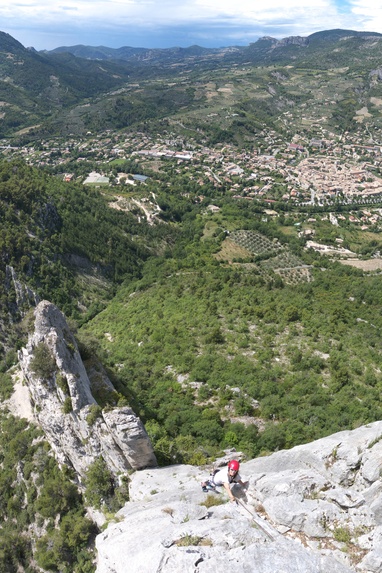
<point x="65" y="244"/>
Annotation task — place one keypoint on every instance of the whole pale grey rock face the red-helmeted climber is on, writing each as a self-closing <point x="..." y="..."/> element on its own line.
<point x="316" y="508"/>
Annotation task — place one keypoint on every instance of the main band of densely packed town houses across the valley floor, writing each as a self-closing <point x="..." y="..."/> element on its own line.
<point x="314" y="171"/>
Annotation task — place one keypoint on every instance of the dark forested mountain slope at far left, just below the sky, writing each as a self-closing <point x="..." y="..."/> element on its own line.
<point x="33" y="85"/>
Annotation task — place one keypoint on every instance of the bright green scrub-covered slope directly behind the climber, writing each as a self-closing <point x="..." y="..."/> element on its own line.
<point x="214" y="355"/>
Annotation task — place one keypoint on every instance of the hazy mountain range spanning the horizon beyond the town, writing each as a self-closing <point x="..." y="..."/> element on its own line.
<point x="46" y="91"/>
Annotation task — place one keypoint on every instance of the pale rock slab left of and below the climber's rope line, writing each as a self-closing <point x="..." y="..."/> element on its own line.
<point x="166" y="528"/>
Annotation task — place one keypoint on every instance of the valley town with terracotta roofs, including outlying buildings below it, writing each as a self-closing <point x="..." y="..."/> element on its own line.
<point x="303" y="172"/>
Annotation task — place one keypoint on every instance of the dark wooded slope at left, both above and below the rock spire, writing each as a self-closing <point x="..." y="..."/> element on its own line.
<point x="59" y="242"/>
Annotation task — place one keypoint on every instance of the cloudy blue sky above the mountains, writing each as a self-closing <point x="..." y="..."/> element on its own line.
<point x="48" y="24"/>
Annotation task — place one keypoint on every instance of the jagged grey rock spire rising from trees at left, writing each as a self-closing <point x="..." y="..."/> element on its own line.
<point x="77" y="429"/>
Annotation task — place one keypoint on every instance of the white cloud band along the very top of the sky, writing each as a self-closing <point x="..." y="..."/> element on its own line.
<point x="165" y="12"/>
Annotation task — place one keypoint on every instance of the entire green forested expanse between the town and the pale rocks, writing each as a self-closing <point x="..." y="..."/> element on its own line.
<point x="199" y="346"/>
